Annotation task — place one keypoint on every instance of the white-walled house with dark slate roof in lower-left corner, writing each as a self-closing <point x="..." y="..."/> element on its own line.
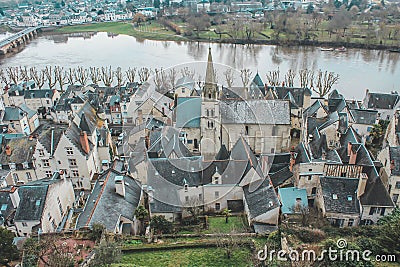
<point x="43" y="205"/>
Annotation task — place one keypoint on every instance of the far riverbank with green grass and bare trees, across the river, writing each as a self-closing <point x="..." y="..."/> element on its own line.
<point x="154" y="31"/>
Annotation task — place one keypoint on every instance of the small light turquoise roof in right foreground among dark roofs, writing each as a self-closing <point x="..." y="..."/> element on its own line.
<point x="288" y="197"/>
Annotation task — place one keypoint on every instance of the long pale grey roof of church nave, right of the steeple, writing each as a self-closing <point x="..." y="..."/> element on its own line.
<point x="255" y="111"/>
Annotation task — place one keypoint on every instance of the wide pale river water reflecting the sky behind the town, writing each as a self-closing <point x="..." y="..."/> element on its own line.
<point x="358" y="69"/>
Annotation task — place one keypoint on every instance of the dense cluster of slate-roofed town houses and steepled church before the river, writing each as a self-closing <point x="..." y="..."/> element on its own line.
<point x="209" y="147"/>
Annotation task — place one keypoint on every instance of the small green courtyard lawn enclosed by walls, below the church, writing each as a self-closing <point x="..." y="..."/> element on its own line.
<point x="218" y="225"/>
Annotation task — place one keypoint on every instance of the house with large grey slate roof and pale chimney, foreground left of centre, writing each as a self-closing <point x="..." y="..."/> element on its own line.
<point x="112" y="202"/>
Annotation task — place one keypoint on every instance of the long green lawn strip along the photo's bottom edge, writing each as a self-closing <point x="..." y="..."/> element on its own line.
<point x="186" y="257"/>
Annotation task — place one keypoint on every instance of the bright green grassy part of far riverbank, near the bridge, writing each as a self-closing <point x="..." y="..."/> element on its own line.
<point x="152" y="31"/>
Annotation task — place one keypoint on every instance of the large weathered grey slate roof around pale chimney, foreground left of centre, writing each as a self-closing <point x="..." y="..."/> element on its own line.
<point x="105" y="206"/>
